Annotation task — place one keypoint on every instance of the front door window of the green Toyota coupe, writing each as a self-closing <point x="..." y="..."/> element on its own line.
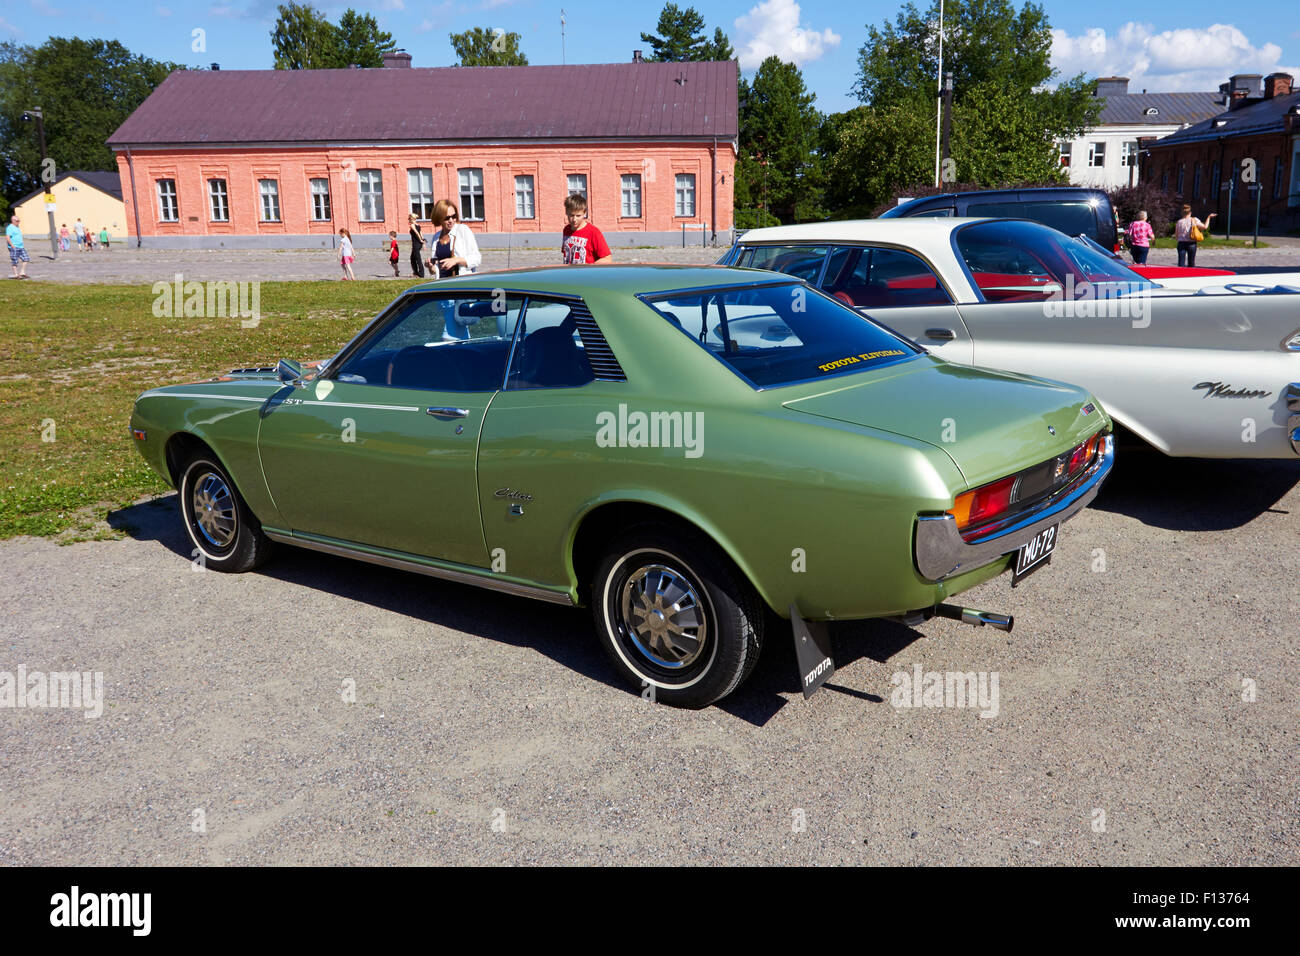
<point x="440" y="344"/>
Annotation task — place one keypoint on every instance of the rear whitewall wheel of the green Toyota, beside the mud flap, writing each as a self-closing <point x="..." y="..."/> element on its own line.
<point x="675" y="615"/>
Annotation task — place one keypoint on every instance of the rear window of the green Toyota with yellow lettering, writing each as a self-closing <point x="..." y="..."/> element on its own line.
<point x="778" y="335"/>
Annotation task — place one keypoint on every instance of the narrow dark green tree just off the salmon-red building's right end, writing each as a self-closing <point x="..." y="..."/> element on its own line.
<point x="778" y="135"/>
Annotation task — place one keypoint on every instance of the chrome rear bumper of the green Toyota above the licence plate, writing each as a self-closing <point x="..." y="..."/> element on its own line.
<point x="942" y="552"/>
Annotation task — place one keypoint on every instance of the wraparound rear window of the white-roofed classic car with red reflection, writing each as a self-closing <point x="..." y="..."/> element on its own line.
<point x="1017" y="261"/>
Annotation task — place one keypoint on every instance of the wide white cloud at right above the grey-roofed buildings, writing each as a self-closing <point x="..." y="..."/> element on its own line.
<point x="1188" y="60"/>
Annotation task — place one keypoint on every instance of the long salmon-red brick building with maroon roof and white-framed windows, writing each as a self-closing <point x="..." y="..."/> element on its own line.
<point x="287" y="158"/>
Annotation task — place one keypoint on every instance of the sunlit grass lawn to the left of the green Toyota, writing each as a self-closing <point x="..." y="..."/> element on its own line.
<point x="73" y="358"/>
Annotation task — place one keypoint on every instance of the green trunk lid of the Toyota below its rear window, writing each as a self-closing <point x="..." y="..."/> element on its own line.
<point x="990" y="423"/>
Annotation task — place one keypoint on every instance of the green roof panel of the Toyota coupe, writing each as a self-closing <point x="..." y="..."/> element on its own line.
<point x="579" y="280"/>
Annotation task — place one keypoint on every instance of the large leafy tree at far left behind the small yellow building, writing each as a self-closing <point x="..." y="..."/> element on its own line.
<point x="85" y="89"/>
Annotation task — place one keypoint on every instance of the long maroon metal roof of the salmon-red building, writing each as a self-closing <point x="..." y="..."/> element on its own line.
<point x="437" y="105"/>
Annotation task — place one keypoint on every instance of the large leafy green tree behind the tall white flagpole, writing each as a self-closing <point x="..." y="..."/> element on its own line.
<point x="1006" y="123"/>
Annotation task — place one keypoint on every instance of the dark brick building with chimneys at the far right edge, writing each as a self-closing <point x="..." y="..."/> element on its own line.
<point x="1262" y="124"/>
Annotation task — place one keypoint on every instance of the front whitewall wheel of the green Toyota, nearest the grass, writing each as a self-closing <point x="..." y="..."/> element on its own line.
<point x="226" y="534"/>
